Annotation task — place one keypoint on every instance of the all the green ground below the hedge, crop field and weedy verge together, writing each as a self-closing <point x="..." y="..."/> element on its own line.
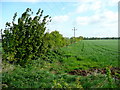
<point x="79" y="65"/>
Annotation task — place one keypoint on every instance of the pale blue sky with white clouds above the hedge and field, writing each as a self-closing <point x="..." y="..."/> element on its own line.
<point x="91" y="18"/>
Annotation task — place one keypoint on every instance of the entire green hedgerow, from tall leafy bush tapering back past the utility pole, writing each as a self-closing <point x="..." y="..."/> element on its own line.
<point x="27" y="40"/>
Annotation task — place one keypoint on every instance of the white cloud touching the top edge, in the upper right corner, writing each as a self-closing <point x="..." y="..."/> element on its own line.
<point x="94" y="5"/>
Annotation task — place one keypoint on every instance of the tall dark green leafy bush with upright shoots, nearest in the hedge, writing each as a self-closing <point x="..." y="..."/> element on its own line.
<point x="23" y="41"/>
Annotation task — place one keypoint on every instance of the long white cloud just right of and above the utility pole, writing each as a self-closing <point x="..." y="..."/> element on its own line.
<point x="106" y="18"/>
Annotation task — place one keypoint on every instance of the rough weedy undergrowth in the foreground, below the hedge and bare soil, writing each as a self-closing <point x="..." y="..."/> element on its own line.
<point x="50" y="73"/>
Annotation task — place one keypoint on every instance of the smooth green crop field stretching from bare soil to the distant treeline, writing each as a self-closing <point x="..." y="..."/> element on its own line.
<point x="94" y="53"/>
